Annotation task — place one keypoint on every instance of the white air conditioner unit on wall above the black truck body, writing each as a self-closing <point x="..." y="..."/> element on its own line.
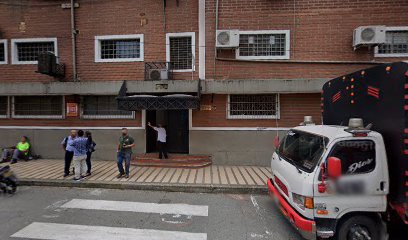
<point x="368" y="35"/>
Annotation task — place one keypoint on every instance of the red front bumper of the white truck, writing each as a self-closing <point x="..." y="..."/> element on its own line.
<point x="306" y="227"/>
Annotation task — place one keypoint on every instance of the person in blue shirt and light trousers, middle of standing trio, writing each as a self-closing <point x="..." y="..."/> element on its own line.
<point x="80" y="148"/>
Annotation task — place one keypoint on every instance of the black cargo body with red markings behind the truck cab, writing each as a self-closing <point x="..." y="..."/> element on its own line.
<point x="378" y="95"/>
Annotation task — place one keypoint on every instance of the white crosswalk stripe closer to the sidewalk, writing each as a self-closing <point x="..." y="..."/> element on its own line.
<point x="182" y="209"/>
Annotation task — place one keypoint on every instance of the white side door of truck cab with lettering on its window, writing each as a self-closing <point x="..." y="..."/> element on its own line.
<point x="358" y="188"/>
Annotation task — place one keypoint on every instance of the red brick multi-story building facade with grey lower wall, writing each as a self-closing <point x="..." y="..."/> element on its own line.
<point x="281" y="52"/>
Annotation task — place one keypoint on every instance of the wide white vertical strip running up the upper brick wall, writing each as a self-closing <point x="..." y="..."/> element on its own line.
<point x="201" y="39"/>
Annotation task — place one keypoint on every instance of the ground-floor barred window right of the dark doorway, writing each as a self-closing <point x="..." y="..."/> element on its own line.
<point x="260" y="106"/>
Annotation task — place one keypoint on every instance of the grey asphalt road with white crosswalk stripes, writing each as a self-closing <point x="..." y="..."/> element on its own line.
<point x="41" y="212"/>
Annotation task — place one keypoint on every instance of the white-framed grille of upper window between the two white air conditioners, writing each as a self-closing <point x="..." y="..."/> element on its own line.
<point x="262" y="45"/>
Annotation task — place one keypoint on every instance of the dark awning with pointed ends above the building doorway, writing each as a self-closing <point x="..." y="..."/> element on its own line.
<point x="154" y="102"/>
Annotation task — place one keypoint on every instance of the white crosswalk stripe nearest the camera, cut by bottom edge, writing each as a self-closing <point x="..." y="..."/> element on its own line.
<point x="55" y="231"/>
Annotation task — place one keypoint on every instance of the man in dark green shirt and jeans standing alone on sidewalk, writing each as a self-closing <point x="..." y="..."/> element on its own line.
<point x="124" y="152"/>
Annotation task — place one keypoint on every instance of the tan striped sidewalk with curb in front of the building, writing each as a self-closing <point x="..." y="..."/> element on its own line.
<point x="215" y="178"/>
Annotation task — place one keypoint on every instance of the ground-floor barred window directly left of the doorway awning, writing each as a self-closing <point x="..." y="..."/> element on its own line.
<point x="103" y="107"/>
